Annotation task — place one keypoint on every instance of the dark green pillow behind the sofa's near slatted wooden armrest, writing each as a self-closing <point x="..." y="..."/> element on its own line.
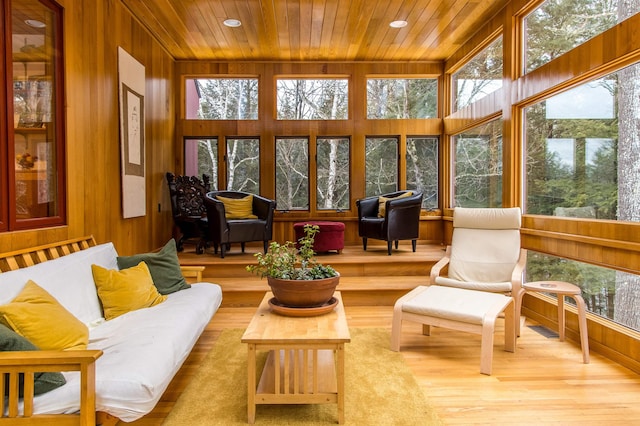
<point x="43" y="382"/>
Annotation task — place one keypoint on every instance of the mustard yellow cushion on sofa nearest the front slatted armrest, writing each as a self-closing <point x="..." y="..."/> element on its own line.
<point x="40" y="318"/>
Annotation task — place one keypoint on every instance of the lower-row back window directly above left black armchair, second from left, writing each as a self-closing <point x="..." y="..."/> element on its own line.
<point x="243" y="165"/>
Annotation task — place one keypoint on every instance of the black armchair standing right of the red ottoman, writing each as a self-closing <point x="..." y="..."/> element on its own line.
<point x="390" y="217"/>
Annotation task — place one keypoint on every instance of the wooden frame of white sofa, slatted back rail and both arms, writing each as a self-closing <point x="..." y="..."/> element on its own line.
<point x="27" y="363"/>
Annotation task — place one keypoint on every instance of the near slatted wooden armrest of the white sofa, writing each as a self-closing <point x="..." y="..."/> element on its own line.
<point x="30" y="362"/>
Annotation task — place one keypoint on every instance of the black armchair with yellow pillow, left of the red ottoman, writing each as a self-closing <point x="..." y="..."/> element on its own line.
<point x="231" y="222"/>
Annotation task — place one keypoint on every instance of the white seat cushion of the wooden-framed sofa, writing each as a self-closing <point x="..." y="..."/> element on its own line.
<point x="143" y="350"/>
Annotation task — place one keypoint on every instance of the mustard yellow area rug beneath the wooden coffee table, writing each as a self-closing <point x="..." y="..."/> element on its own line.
<point x="380" y="389"/>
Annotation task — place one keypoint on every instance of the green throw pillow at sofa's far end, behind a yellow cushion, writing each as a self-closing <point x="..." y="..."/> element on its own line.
<point x="163" y="265"/>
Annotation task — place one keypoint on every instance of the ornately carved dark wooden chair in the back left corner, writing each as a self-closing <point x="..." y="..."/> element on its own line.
<point x="187" y="206"/>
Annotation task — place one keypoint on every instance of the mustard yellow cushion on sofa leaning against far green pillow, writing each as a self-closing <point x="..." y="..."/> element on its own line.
<point x="126" y="290"/>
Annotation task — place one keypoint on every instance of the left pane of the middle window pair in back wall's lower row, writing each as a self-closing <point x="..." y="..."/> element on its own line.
<point x="292" y="173"/>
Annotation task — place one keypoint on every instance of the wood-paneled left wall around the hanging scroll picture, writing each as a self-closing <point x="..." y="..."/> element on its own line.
<point x="92" y="33"/>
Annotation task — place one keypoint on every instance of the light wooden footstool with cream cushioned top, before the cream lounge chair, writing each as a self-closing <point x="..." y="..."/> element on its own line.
<point x="457" y="309"/>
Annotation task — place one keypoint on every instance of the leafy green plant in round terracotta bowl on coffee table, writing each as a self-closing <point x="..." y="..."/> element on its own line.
<point x="296" y="278"/>
